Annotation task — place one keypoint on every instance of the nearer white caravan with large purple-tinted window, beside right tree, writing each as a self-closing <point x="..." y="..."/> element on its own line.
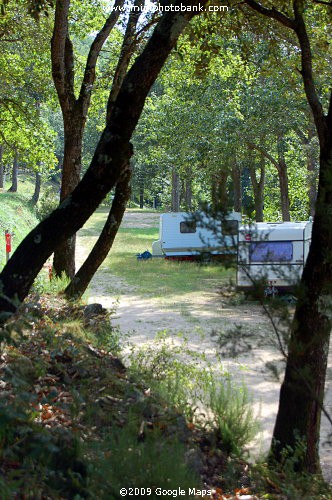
<point x="272" y="253"/>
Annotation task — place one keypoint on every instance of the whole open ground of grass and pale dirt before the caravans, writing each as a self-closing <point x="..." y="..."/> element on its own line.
<point x="197" y="302"/>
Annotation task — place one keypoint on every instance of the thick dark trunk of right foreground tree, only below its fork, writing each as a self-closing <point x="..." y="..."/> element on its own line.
<point x="302" y="392"/>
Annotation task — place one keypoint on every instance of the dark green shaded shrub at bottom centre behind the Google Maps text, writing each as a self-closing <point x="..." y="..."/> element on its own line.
<point x="155" y="461"/>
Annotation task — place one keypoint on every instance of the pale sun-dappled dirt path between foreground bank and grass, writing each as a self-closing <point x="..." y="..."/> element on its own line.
<point x="200" y="318"/>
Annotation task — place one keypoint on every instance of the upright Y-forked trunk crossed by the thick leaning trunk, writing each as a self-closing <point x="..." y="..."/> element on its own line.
<point x="74" y="111"/>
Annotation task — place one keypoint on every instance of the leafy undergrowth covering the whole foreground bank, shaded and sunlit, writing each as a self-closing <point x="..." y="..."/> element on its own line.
<point x="75" y="423"/>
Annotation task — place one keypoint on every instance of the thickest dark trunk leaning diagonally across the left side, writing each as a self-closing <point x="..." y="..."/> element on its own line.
<point x="107" y="167"/>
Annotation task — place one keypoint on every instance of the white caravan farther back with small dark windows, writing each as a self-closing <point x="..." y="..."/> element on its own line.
<point x="184" y="235"/>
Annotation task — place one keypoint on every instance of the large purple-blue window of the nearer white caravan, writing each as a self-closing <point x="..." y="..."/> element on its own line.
<point x="271" y="251"/>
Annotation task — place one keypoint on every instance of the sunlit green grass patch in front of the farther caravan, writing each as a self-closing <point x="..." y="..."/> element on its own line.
<point x="155" y="277"/>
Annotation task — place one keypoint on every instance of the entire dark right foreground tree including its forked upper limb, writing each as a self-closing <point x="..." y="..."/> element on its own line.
<point x="302" y="391"/>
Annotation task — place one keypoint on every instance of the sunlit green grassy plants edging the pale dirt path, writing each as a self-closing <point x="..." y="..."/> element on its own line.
<point x="185" y="379"/>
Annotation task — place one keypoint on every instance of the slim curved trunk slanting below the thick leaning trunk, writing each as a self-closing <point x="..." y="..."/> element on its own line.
<point x="98" y="254"/>
